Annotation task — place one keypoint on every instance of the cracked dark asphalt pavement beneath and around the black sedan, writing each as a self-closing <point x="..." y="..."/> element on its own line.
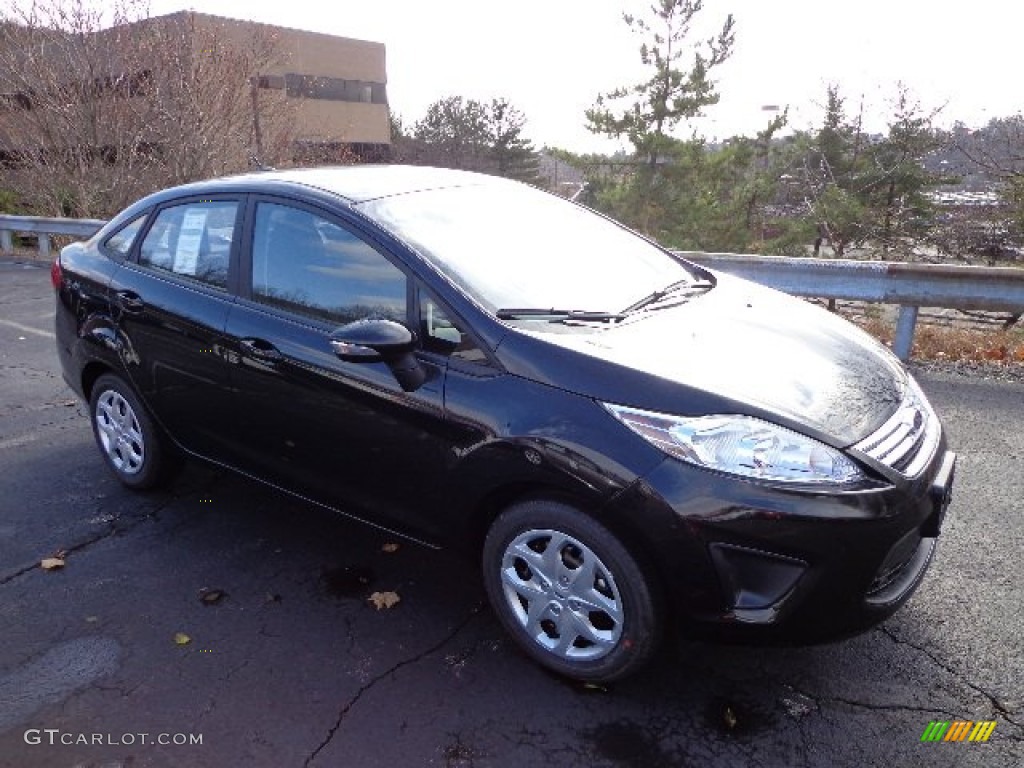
<point x="293" y="667"/>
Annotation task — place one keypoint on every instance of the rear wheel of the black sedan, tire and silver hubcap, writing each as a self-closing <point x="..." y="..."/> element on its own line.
<point x="134" y="447"/>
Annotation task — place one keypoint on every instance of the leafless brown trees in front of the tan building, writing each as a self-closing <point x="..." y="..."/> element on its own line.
<point x="101" y="105"/>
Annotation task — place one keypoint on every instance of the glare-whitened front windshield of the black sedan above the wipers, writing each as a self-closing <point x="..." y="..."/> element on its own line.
<point x="509" y="245"/>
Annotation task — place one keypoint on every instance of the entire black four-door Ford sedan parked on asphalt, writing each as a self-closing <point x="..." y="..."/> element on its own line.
<point x="622" y="438"/>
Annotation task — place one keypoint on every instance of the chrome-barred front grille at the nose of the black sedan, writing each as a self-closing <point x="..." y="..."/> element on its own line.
<point x="909" y="437"/>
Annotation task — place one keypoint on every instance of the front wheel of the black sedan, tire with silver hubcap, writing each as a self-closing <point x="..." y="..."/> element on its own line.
<point x="623" y="628"/>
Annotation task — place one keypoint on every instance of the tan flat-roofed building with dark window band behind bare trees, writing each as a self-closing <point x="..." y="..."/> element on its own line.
<point x="335" y="89"/>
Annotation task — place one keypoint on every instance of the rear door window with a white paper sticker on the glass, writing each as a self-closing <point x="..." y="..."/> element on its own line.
<point x="193" y="240"/>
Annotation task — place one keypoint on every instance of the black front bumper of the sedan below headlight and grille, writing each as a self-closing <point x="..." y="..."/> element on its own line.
<point x="751" y="562"/>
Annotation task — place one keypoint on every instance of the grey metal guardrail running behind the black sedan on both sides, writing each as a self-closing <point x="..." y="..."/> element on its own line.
<point x="910" y="286"/>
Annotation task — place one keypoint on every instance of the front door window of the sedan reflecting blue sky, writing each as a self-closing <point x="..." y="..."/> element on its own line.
<point x="305" y="264"/>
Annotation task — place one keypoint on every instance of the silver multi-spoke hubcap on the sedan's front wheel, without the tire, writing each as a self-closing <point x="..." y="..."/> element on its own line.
<point x="563" y="594"/>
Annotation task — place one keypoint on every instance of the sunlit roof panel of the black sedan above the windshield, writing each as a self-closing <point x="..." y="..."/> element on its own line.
<point x="360" y="184"/>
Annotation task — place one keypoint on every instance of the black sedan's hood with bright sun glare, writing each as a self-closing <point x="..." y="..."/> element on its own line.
<point x="743" y="348"/>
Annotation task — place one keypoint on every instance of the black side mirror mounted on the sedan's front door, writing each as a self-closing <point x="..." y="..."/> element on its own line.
<point x="376" y="340"/>
